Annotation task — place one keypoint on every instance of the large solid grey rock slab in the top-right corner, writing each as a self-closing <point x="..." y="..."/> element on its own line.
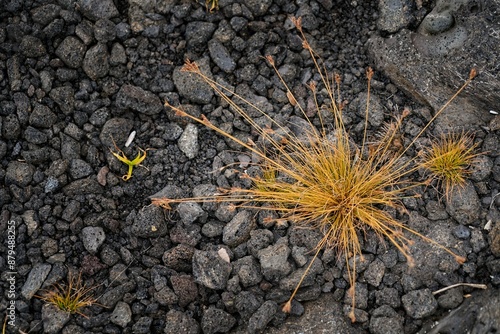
<point x="432" y="62"/>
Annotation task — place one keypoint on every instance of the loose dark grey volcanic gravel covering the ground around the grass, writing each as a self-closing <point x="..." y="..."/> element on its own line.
<point x="77" y="74"/>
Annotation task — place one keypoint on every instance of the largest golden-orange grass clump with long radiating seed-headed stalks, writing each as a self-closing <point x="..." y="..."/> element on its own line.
<point x="324" y="181"/>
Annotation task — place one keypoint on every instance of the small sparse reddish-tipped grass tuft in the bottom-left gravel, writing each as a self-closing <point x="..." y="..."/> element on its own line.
<point x="71" y="297"/>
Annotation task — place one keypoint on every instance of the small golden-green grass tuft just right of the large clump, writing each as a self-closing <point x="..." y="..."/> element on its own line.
<point x="448" y="159"/>
